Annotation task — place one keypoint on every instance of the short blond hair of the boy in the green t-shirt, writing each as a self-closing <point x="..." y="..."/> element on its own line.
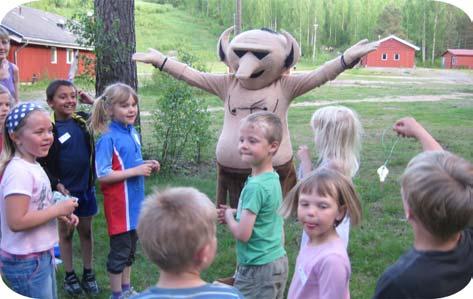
<point x="268" y="122"/>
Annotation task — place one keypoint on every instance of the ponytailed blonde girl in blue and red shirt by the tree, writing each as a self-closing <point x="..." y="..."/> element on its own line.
<point x="120" y="170"/>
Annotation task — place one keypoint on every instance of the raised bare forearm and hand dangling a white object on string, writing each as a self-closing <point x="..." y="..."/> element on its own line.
<point x="409" y="127"/>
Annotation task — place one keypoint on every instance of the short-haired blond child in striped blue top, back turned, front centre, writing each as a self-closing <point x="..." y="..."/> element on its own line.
<point x="177" y="230"/>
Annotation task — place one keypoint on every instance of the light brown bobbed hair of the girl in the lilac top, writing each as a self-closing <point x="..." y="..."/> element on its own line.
<point x="325" y="181"/>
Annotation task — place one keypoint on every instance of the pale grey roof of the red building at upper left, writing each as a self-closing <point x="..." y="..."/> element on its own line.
<point x="26" y="24"/>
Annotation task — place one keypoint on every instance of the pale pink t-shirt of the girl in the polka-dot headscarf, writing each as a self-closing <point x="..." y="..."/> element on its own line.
<point x="22" y="177"/>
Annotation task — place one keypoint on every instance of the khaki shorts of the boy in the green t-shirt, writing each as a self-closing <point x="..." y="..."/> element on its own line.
<point x="265" y="281"/>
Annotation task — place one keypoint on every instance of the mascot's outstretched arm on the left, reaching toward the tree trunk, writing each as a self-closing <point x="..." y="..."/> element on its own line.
<point x="216" y="84"/>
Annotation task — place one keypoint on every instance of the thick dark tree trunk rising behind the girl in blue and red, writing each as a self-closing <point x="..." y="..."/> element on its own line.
<point x="115" y="44"/>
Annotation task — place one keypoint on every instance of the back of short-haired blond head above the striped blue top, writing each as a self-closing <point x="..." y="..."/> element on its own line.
<point x="174" y="226"/>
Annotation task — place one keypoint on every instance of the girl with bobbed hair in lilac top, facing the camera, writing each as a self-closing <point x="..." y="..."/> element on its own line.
<point x="321" y="201"/>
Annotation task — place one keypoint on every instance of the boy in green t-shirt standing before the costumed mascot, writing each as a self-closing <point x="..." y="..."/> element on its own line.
<point x="258" y="228"/>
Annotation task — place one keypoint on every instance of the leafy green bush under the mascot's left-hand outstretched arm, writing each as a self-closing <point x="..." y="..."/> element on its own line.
<point x="181" y="122"/>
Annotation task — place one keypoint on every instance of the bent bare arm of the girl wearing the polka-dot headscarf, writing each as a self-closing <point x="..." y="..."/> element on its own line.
<point x="19" y="218"/>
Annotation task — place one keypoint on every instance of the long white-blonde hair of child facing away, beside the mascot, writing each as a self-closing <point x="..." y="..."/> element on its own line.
<point x="338" y="132"/>
